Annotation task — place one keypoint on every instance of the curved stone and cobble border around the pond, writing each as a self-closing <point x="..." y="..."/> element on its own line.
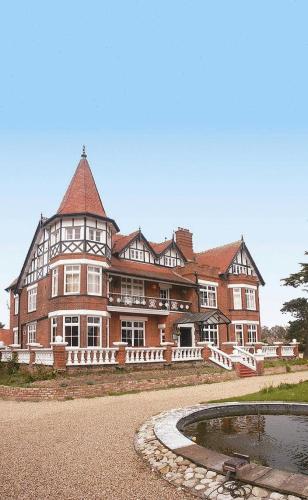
<point x="188" y="465"/>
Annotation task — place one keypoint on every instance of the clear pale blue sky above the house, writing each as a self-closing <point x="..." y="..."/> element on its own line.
<point x="194" y="114"/>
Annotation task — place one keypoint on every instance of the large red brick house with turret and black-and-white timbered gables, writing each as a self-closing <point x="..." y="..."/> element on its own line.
<point x="93" y="286"/>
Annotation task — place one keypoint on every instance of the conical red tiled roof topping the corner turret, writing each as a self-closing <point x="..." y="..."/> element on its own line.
<point x="82" y="194"/>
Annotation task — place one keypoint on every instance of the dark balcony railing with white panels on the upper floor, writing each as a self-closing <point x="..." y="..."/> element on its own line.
<point x="172" y="305"/>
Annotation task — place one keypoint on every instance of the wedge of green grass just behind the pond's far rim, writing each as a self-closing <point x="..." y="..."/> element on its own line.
<point x="283" y="392"/>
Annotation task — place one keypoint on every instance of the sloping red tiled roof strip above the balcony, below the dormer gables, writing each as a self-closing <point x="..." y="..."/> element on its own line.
<point x="147" y="271"/>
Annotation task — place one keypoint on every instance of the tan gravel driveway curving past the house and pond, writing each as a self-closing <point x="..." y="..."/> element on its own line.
<point x="83" y="449"/>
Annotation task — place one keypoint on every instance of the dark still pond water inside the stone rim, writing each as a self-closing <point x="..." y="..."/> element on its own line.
<point x="278" y="441"/>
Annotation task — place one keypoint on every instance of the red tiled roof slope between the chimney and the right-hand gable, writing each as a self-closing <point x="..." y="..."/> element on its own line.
<point x="219" y="257"/>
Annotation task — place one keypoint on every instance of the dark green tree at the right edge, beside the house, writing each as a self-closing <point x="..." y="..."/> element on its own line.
<point x="298" y="308"/>
